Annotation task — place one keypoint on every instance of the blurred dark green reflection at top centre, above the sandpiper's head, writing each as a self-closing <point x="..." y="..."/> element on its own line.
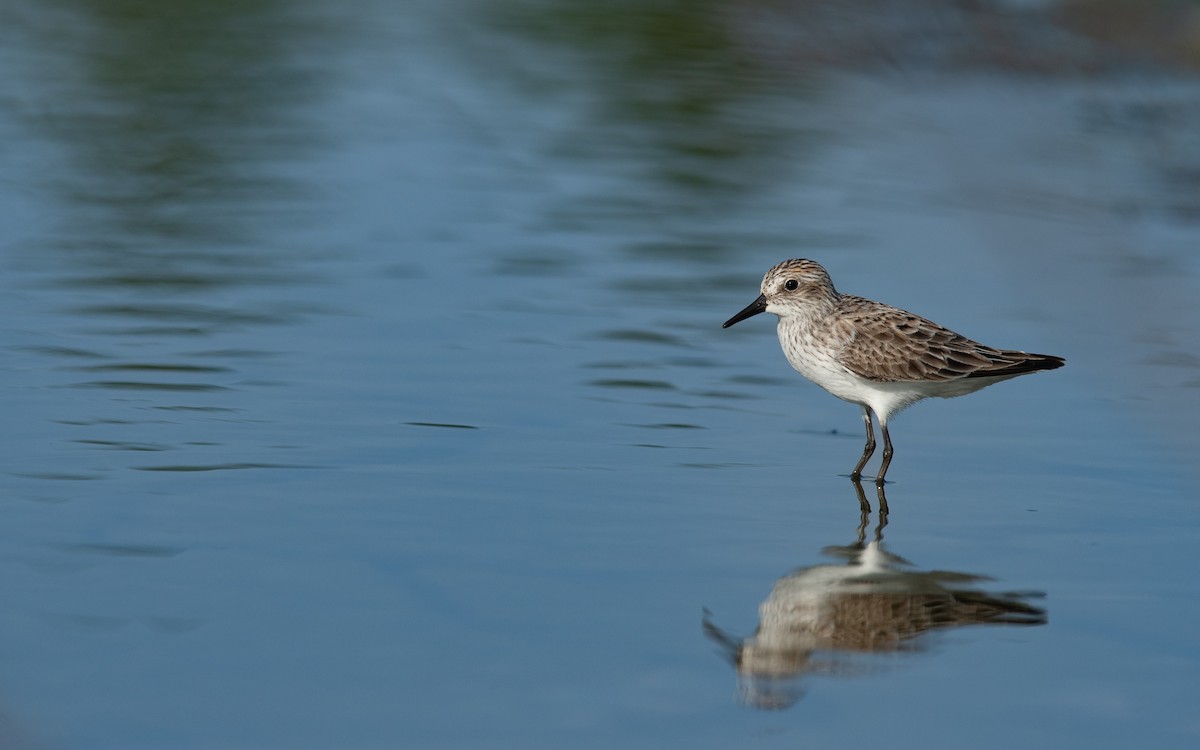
<point x="673" y="71"/>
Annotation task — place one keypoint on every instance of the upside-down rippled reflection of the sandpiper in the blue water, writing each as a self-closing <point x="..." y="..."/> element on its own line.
<point x="827" y="620"/>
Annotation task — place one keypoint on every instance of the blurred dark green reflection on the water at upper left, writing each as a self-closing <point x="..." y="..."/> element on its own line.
<point x="177" y="113"/>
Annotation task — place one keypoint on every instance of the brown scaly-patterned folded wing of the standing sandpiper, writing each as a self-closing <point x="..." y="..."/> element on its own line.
<point x="891" y="345"/>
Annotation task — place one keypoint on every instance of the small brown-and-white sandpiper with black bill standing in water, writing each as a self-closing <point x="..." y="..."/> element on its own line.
<point x="879" y="357"/>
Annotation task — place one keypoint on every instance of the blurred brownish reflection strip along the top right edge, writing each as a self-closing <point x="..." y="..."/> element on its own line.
<point x="1051" y="38"/>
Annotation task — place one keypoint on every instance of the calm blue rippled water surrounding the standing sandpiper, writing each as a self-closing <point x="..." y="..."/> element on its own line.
<point x="365" y="383"/>
